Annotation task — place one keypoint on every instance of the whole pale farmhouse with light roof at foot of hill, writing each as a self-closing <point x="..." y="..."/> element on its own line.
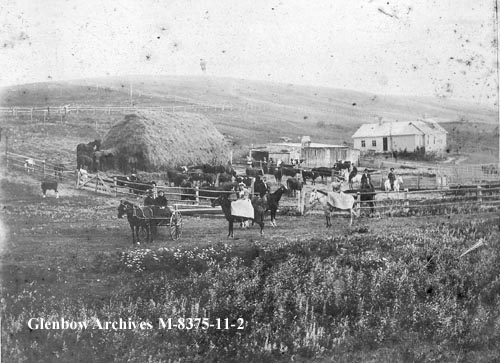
<point x="399" y="136"/>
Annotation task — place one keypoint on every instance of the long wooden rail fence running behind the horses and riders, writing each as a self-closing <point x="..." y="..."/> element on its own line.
<point x="438" y="201"/>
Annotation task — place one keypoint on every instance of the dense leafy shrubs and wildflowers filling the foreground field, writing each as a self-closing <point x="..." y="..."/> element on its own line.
<point x="299" y="298"/>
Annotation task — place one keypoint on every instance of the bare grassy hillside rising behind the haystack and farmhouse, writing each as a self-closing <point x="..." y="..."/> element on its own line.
<point x="326" y="114"/>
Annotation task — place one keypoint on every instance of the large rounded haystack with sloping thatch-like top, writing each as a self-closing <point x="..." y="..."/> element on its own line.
<point x="160" y="140"/>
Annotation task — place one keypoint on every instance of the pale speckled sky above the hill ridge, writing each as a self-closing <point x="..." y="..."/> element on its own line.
<point x="442" y="48"/>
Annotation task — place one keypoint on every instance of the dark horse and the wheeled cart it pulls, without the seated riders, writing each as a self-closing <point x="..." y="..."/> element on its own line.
<point x="144" y="220"/>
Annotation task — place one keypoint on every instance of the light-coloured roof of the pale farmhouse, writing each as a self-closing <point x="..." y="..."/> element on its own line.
<point x="419" y="127"/>
